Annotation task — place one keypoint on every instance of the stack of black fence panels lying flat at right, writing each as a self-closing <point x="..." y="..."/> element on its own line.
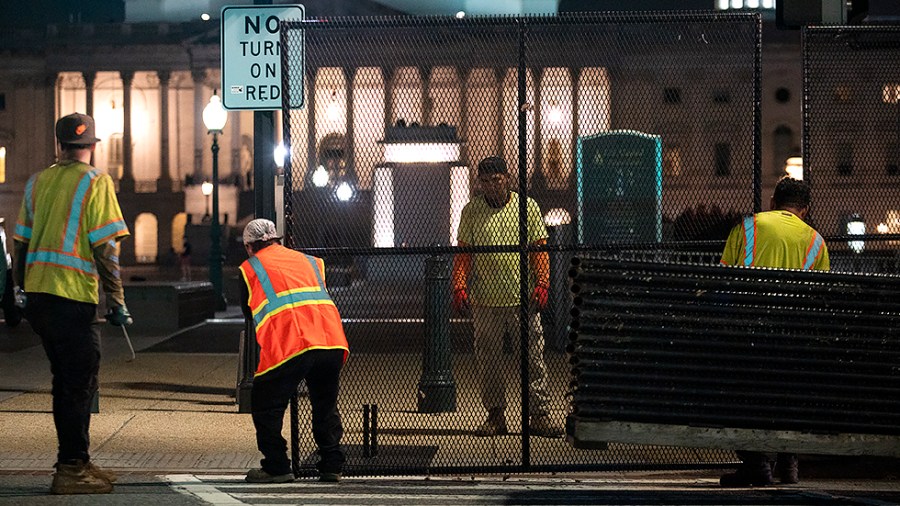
<point x="715" y="346"/>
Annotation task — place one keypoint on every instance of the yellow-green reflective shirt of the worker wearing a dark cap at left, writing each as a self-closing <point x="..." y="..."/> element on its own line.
<point x="68" y="209"/>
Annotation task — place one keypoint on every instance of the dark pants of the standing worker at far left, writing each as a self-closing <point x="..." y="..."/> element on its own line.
<point x="72" y="344"/>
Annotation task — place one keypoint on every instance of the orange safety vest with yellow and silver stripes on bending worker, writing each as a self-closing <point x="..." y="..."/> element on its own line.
<point x="292" y="311"/>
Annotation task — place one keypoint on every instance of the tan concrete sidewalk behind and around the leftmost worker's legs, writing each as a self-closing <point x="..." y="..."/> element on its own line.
<point x="167" y="412"/>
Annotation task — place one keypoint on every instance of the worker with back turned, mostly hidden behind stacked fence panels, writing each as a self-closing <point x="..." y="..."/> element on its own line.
<point x="777" y="238"/>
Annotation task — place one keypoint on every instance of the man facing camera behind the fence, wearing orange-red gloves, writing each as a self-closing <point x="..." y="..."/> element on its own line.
<point x="492" y="219"/>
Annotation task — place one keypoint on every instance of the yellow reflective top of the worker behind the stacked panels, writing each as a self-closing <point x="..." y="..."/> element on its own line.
<point x="776" y="239"/>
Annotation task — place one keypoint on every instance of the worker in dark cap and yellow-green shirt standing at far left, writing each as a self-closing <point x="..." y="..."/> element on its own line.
<point x="66" y="239"/>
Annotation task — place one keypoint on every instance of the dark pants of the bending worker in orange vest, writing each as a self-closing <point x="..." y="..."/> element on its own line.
<point x="271" y="395"/>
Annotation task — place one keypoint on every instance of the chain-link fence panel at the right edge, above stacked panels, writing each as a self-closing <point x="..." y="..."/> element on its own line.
<point x="851" y="142"/>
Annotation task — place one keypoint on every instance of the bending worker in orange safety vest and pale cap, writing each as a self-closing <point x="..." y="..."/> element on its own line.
<point x="300" y="337"/>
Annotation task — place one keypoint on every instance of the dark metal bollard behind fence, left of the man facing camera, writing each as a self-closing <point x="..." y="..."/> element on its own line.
<point x="437" y="388"/>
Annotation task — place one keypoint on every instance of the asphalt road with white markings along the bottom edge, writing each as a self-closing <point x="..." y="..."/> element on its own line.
<point x="598" y="489"/>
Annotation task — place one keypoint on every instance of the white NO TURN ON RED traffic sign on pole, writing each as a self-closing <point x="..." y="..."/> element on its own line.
<point x="251" y="56"/>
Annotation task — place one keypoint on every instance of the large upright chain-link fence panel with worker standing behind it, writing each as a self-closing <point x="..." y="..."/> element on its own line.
<point x="627" y="131"/>
